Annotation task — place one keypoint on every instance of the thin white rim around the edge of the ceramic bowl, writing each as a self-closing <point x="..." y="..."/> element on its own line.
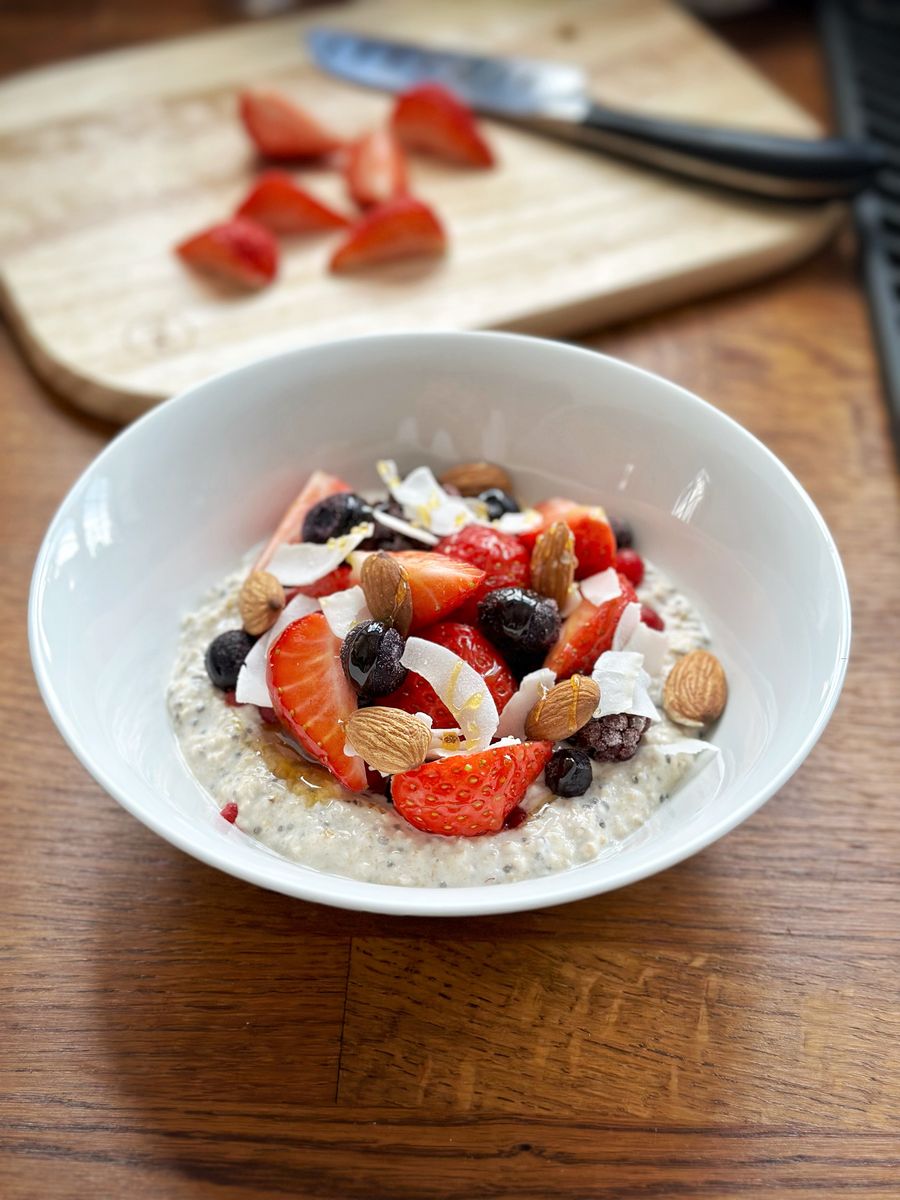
<point x="542" y="892"/>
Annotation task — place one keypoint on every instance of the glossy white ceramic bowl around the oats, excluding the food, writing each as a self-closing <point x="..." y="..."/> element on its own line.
<point x="177" y="500"/>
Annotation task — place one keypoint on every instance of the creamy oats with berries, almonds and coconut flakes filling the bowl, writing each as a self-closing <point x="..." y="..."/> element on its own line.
<point x="442" y="688"/>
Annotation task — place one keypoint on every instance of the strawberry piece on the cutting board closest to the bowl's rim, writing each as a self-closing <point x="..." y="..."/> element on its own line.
<point x="401" y="229"/>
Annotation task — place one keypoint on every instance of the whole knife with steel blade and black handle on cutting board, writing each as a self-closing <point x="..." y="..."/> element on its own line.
<point x="553" y="99"/>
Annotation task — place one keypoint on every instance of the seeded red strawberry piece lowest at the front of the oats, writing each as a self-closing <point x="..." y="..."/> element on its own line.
<point x="470" y="795"/>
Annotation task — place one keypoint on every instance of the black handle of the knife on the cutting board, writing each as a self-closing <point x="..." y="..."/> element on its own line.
<point x="759" y="164"/>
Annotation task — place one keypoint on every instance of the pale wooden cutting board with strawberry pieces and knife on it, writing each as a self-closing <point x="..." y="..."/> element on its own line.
<point x="106" y="163"/>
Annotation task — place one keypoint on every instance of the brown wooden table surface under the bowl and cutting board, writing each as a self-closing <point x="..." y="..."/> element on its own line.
<point x="730" y="1028"/>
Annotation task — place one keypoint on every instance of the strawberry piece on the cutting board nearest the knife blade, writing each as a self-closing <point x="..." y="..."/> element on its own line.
<point x="431" y="118"/>
